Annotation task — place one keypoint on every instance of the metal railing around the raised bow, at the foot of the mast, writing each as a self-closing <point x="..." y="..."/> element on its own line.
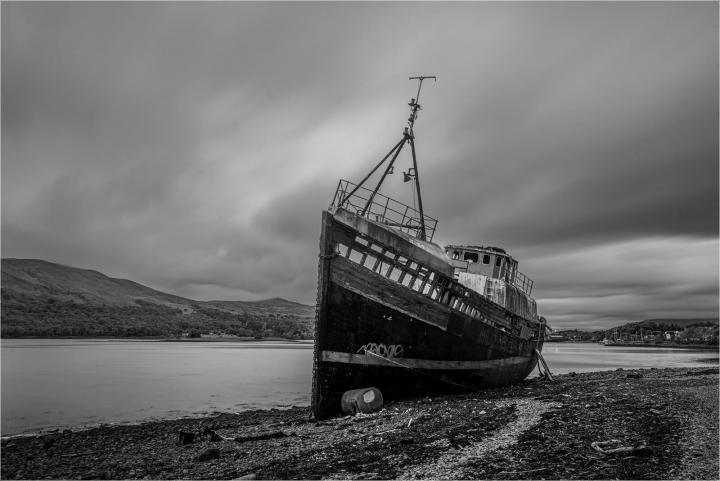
<point x="382" y="209"/>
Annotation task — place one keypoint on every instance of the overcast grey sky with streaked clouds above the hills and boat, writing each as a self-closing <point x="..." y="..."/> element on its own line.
<point x="192" y="147"/>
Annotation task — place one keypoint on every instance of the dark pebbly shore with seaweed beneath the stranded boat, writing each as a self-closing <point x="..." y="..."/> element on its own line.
<point x="530" y="430"/>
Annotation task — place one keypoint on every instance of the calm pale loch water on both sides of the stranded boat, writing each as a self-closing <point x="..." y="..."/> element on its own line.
<point x="50" y="384"/>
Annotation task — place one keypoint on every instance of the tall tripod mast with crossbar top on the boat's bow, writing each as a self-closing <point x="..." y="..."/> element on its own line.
<point x="408" y="137"/>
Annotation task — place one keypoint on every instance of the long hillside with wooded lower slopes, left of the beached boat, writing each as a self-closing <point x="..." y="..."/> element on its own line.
<point x="44" y="299"/>
